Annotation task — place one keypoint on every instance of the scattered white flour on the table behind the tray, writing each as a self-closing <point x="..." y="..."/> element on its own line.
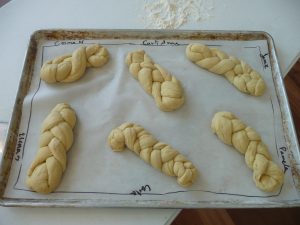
<point x="171" y="14"/>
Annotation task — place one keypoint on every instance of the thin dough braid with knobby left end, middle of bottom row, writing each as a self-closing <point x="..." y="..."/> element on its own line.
<point x="159" y="155"/>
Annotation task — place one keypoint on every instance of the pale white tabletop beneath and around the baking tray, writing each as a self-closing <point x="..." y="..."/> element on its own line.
<point x="19" y="19"/>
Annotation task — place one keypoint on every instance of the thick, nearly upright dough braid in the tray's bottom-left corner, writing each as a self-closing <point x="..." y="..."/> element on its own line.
<point x="46" y="170"/>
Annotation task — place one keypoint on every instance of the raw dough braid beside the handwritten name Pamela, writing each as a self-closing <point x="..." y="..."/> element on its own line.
<point x="267" y="175"/>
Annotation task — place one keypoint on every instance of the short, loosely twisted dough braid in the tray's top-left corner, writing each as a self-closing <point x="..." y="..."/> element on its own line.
<point x="69" y="68"/>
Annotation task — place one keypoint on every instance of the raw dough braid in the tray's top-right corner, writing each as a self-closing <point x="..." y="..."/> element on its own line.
<point x="239" y="73"/>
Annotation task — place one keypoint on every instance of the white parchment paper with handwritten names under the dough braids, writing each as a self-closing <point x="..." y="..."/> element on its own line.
<point x="106" y="97"/>
